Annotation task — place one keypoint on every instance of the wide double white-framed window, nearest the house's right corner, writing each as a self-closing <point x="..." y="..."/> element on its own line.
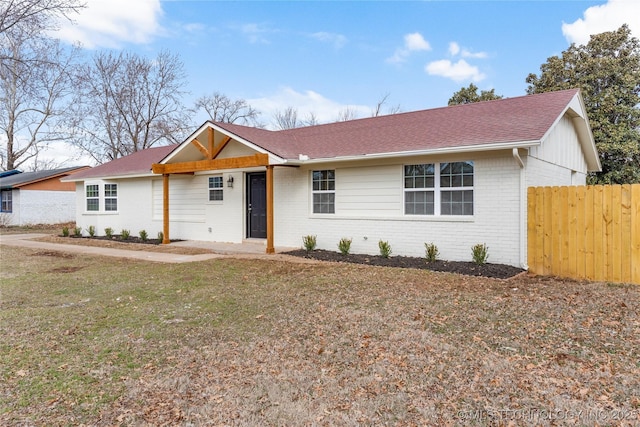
<point x="439" y="189"/>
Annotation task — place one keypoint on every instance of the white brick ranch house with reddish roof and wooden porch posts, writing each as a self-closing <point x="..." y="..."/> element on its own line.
<point x="454" y="176"/>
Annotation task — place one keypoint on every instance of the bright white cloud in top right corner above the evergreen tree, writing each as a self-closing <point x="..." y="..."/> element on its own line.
<point x="605" y="17"/>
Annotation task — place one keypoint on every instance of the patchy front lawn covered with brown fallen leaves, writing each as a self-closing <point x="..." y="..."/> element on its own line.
<point x="103" y="341"/>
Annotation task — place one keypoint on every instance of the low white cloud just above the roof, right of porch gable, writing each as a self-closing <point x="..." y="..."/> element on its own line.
<point x="305" y="103"/>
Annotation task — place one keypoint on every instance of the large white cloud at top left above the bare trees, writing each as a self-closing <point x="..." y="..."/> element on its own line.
<point x="110" y="23"/>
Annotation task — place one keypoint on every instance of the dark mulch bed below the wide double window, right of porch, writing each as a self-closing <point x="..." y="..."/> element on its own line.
<point x="499" y="271"/>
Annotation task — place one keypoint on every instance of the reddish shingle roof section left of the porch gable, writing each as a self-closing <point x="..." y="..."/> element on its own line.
<point x="138" y="163"/>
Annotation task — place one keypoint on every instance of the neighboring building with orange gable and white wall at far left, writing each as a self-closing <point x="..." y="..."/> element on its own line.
<point x="37" y="197"/>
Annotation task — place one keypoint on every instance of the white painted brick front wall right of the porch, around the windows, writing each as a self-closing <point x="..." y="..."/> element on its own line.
<point x="496" y="219"/>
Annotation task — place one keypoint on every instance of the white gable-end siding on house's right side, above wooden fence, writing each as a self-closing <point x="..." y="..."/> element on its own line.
<point x="559" y="160"/>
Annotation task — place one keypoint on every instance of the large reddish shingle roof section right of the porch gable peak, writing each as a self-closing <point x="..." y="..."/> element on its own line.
<point x="525" y="118"/>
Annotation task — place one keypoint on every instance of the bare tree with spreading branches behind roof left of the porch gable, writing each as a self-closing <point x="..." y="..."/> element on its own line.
<point x="127" y="103"/>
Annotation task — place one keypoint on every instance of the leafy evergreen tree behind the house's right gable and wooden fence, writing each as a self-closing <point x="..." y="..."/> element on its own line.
<point x="607" y="70"/>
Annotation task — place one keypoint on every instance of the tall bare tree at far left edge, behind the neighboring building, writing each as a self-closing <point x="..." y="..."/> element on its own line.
<point x="35" y="86"/>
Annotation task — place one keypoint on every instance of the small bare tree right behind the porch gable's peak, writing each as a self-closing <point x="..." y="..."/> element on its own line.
<point x="221" y="108"/>
